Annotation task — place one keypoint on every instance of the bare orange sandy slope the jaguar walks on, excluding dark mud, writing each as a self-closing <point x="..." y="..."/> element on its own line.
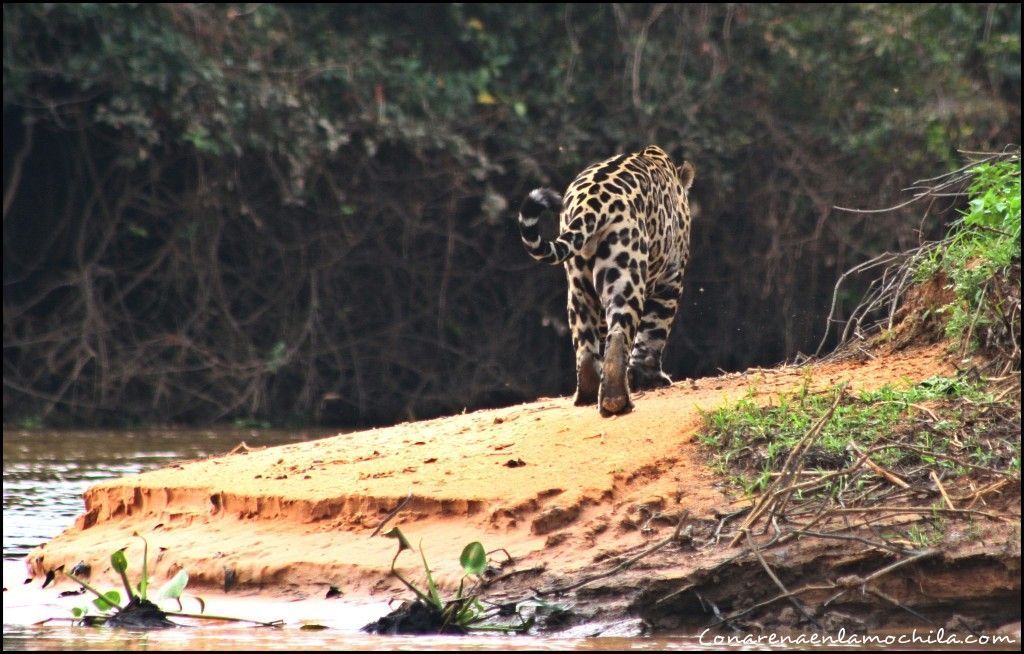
<point x="556" y="486"/>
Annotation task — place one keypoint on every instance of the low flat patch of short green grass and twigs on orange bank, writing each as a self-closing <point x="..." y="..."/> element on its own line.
<point x="940" y="416"/>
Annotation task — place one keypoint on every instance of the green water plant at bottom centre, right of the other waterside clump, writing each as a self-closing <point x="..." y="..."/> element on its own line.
<point x="465" y="612"/>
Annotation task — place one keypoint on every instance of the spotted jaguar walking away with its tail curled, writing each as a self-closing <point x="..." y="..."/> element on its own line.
<point x="625" y="238"/>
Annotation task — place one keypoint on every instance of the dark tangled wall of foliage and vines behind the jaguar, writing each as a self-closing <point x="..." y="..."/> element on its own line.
<point x="293" y="212"/>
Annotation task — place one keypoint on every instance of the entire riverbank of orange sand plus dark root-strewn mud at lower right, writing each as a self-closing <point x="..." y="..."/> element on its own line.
<point x="568" y="494"/>
